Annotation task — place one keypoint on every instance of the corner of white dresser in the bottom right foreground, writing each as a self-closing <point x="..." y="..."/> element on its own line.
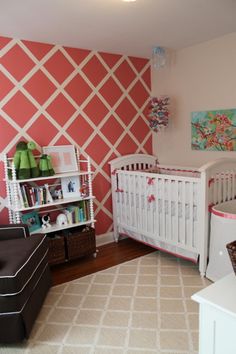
<point x="217" y="322"/>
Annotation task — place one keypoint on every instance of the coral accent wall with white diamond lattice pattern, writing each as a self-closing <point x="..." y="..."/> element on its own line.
<point x="56" y="95"/>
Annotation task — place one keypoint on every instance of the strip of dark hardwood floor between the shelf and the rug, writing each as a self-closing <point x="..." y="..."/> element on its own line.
<point x="107" y="256"/>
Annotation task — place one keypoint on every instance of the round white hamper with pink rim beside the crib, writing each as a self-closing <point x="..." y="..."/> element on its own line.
<point x="223" y="231"/>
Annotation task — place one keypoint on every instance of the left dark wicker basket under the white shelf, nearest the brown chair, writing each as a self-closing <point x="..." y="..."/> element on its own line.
<point x="56" y="252"/>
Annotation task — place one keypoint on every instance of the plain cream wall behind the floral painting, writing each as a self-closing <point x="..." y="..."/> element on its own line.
<point x="202" y="77"/>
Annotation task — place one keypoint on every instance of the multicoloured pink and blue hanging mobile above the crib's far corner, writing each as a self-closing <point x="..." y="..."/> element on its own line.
<point x="159" y="113"/>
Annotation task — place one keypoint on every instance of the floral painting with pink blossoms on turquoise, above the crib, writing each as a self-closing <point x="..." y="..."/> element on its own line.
<point x="214" y="130"/>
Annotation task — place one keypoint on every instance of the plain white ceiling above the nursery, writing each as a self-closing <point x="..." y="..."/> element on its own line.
<point x="116" y="26"/>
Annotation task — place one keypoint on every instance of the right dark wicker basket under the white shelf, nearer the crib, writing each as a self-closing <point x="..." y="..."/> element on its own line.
<point x="80" y="242"/>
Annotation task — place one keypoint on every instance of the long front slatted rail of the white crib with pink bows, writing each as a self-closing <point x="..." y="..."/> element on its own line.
<point x="159" y="206"/>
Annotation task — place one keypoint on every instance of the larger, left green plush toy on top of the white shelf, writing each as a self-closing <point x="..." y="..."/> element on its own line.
<point x="24" y="160"/>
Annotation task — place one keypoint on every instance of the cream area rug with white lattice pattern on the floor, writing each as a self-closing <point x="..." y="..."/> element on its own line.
<point x="139" y="307"/>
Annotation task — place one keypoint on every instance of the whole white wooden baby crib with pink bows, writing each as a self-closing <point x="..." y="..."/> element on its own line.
<point x="167" y="207"/>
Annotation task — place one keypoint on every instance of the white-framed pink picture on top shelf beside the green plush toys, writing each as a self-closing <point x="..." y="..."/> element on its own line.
<point x="63" y="158"/>
